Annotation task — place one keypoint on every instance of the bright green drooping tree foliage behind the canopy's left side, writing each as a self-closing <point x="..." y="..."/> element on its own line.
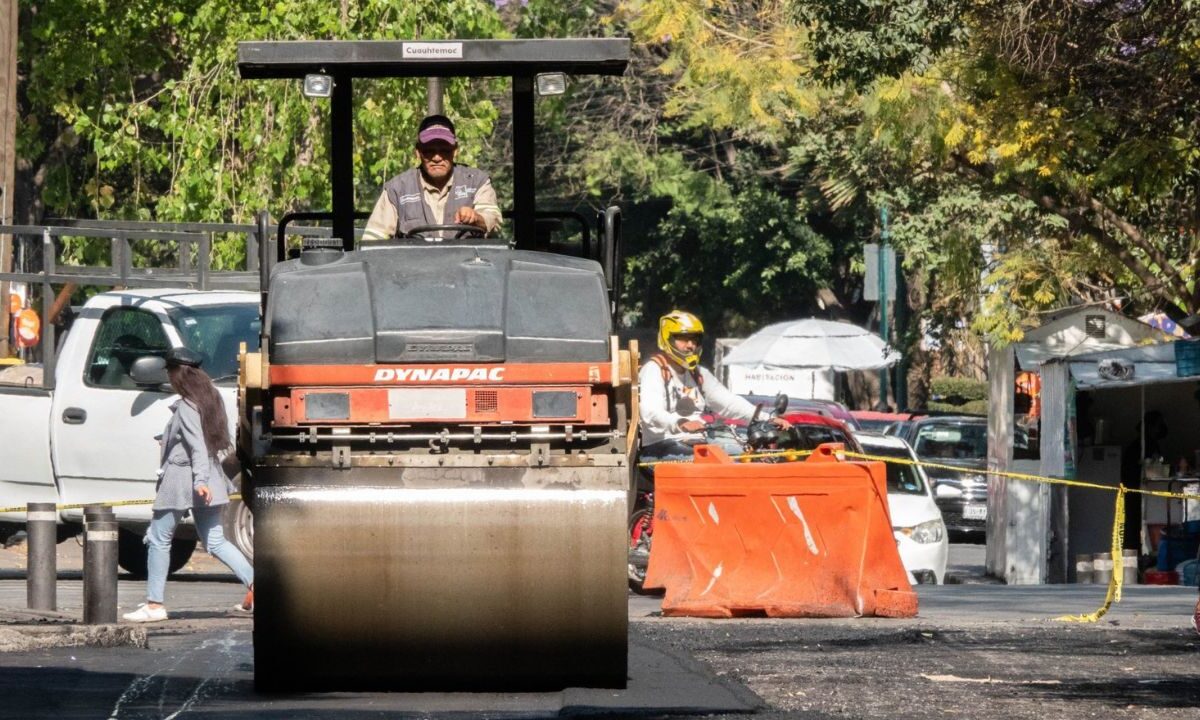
<point x="139" y="105"/>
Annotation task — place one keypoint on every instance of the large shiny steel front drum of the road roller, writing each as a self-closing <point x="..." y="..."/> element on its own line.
<point x="419" y="579"/>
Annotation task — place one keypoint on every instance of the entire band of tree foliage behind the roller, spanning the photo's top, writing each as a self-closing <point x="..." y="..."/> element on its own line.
<point x="1033" y="155"/>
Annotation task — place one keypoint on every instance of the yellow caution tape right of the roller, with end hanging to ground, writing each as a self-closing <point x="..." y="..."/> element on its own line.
<point x="1118" y="579"/>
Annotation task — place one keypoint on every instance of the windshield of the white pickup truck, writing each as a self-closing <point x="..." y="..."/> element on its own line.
<point x="217" y="333"/>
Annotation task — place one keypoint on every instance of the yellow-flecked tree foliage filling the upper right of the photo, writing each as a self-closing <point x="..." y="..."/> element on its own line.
<point x="1035" y="155"/>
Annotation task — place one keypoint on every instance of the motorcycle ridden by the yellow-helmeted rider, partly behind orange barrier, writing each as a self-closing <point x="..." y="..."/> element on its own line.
<point x="760" y="435"/>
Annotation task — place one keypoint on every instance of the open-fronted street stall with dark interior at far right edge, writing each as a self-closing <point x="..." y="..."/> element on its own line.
<point x="1138" y="419"/>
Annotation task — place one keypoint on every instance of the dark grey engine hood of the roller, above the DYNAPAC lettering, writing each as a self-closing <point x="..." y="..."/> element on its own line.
<point x="439" y="304"/>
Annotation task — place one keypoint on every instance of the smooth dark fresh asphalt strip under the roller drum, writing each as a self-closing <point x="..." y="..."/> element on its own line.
<point x="211" y="675"/>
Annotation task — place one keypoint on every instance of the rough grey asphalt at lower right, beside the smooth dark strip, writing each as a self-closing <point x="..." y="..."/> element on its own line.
<point x="871" y="671"/>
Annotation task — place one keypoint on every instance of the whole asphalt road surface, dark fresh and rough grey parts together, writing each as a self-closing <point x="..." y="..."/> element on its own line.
<point x="976" y="651"/>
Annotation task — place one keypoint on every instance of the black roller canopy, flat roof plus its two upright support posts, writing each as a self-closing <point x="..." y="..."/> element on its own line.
<point x="518" y="59"/>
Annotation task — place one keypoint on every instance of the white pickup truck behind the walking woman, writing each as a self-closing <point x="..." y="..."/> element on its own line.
<point x="92" y="437"/>
